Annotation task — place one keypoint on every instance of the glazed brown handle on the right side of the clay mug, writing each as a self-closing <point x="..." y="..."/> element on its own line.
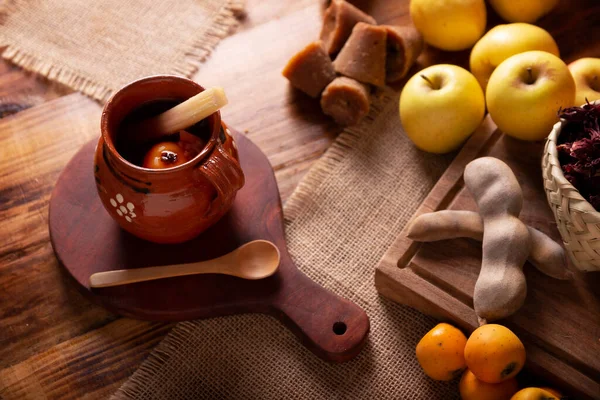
<point x="225" y="174"/>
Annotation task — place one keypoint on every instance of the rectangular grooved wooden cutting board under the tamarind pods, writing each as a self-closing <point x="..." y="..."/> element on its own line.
<point x="560" y="320"/>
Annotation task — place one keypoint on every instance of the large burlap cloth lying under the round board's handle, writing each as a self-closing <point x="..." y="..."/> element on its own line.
<point x="339" y="222"/>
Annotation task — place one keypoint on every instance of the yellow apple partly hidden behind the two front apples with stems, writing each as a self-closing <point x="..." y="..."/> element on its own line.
<point x="503" y="41"/>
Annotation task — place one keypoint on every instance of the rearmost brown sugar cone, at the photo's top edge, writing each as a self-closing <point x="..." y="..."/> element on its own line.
<point x="338" y="22"/>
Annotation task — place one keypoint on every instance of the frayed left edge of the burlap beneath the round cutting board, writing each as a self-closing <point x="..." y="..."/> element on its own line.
<point x="293" y="208"/>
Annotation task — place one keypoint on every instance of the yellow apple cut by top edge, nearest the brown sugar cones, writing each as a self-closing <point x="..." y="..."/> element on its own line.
<point x="449" y="24"/>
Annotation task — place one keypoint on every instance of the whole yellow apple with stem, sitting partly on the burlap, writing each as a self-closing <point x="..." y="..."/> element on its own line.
<point x="440" y="107"/>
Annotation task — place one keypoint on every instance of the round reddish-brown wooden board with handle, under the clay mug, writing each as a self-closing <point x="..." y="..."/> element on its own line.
<point x="86" y="240"/>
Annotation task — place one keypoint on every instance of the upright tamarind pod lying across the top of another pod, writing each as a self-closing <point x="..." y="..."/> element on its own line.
<point x="501" y="288"/>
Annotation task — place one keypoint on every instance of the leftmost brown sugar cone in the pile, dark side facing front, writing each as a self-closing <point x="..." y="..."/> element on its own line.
<point x="310" y="70"/>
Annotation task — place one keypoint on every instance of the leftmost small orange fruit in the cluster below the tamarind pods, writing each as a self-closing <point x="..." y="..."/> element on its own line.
<point x="441" y="352"/>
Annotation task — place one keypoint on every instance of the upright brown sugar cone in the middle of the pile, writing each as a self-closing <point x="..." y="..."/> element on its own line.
<point x="363" y="55"/>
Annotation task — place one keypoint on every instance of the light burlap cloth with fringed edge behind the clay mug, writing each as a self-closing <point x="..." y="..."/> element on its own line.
<point x="97" y="46"/>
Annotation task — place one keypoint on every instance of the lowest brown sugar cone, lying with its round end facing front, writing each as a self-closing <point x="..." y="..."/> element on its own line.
<point x="346" y="101"/>
